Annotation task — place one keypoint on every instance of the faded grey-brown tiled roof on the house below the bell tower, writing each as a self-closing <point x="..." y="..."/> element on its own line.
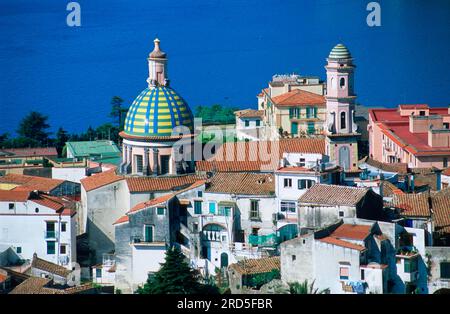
<point x="333" y="195"/>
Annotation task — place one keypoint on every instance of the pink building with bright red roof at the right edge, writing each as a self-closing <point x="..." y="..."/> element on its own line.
<point x="414" y="134"/>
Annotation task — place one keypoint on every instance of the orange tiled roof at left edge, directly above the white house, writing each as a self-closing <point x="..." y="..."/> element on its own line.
<point x="30" y="183"/>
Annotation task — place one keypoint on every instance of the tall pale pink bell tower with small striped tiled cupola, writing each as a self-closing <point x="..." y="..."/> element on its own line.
<point x="341" y="130"/>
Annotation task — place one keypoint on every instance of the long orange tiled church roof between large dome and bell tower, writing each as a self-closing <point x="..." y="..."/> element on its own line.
<point x="258" y="155"/>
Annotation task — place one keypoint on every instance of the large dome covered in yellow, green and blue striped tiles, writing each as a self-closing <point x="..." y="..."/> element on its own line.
<point x="156" y="112"/>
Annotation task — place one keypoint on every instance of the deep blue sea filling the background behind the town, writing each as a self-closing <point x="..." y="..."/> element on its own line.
<point x="221" y="51"/>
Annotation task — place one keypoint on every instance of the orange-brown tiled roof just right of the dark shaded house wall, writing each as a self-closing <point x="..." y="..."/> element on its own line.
<point x="412" y="205"/>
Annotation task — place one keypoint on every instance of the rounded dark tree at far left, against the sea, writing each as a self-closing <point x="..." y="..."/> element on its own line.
<point x="33" y="130"/>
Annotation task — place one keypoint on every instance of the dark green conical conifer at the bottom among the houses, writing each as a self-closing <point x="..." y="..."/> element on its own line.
<point x="175" y="277"/>
